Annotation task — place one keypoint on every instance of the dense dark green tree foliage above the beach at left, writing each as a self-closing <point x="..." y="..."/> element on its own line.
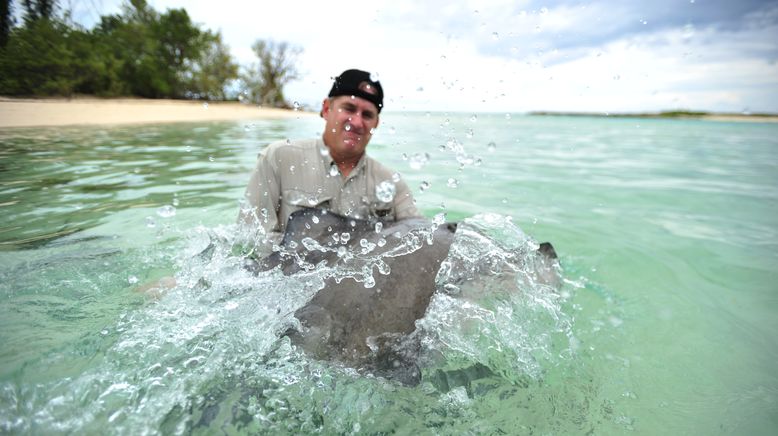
<point x="139" y="52"/>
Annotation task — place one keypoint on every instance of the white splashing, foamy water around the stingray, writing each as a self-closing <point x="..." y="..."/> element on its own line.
<point x="210" y="352"/>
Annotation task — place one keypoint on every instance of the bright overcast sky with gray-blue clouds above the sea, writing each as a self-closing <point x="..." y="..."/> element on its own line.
<point x="513" y="56"/>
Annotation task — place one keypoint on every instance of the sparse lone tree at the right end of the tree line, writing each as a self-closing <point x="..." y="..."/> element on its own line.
<point x="276" y="68"/>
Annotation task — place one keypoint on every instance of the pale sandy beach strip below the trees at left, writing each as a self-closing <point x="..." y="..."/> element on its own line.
<point x="93" y="111"/>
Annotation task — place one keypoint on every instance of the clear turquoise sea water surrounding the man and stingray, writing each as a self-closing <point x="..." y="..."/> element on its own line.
<point x="667" y="231"/>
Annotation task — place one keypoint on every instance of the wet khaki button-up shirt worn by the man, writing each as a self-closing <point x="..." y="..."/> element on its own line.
<point x="291" y="175"/>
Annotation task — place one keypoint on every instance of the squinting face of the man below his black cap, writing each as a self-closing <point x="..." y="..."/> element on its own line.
<point x="349" y="126"/>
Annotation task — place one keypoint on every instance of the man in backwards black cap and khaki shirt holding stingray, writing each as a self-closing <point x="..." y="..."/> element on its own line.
<point x="332" y="172"/>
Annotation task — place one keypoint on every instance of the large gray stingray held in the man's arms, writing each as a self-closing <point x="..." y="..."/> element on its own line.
<point x="362" y="324"/>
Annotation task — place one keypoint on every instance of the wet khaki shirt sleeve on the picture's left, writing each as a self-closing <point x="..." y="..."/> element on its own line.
<point x="262" y="195"/>
